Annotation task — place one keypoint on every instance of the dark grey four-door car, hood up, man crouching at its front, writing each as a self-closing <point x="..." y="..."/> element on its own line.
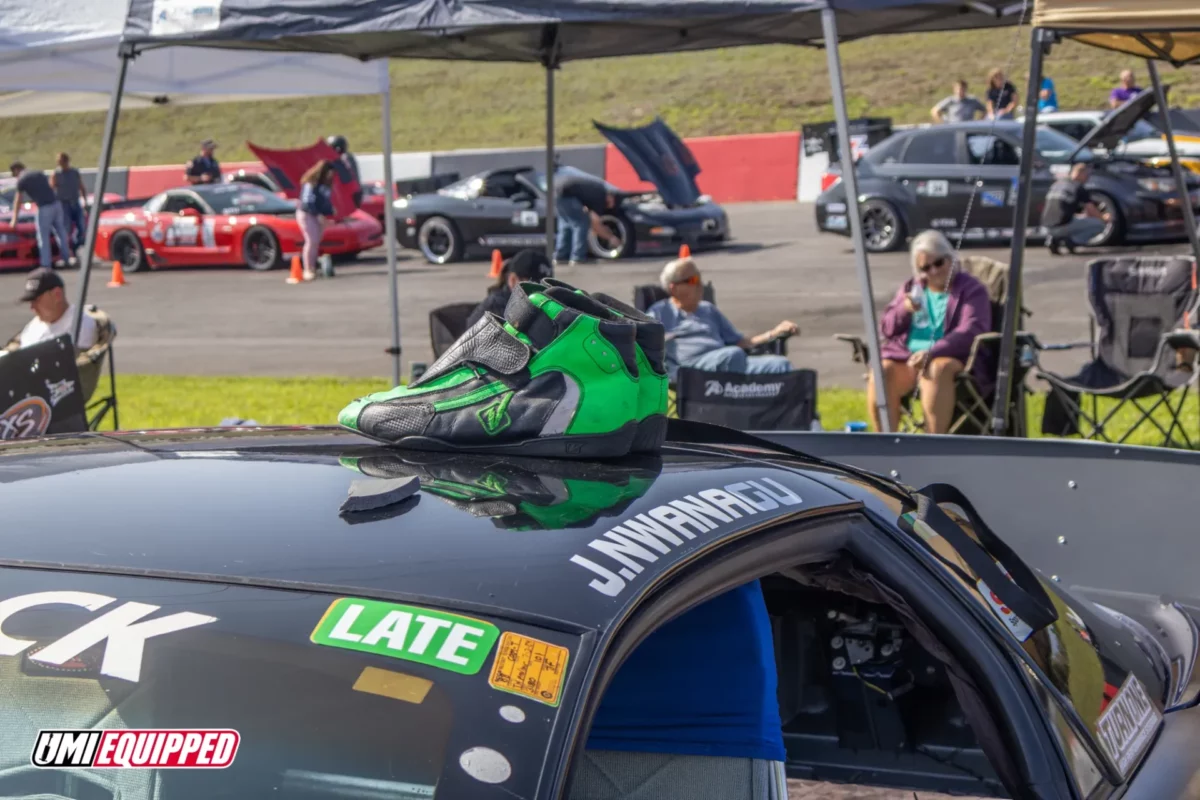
<point x="929" y="177"/>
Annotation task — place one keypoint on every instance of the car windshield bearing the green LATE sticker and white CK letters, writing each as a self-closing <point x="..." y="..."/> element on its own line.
<point x="331" y="697"/>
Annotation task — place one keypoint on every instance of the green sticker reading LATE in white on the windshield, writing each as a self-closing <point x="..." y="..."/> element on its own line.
<point x="430" y="637"/>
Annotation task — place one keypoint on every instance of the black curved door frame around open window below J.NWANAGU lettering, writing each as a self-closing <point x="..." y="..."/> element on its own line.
<point x="1015" y="706"/>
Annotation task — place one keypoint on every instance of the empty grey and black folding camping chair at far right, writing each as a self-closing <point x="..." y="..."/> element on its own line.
<point x="1143" y="354"/>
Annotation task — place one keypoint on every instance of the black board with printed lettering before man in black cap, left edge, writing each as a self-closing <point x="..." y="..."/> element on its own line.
<point x="40" y="392"/>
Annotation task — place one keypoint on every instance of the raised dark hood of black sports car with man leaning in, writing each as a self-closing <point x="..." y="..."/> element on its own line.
<point x="659" y="158"/>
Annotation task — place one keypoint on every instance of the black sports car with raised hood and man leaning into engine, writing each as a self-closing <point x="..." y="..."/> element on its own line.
<point x="506" y="209"/>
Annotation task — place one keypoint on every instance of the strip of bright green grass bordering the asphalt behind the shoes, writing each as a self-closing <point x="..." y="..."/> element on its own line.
<point x="170" y="402"/>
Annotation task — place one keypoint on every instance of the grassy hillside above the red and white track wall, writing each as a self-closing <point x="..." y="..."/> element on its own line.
<point x="445" y="106"/>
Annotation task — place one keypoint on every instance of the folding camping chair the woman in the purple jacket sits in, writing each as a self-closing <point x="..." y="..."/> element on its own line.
<point x="974" y="399"/>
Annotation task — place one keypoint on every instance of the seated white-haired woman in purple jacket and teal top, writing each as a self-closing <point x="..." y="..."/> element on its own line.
<point x="927" y="333"/>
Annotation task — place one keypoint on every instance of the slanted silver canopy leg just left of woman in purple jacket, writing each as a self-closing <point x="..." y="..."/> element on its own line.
<point x="830" y="27"/>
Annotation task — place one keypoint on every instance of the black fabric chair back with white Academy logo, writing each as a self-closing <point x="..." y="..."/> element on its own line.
<point x="781" y="402"/>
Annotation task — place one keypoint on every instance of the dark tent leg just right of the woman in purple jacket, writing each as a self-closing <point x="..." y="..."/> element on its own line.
<point x="1021" y="222"/>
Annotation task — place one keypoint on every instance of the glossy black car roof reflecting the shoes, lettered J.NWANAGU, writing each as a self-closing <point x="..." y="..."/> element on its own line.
<point x="532" y="539"/>
